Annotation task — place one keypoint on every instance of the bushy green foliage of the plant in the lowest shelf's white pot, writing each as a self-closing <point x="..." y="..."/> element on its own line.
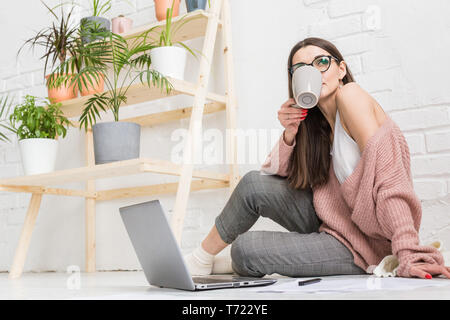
<point x="29" y="120"/>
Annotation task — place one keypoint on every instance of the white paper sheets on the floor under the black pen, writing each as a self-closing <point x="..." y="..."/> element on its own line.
<point x="351" y="285"/>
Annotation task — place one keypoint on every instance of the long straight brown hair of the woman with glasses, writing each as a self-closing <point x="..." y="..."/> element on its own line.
<point x="310" y="162"/>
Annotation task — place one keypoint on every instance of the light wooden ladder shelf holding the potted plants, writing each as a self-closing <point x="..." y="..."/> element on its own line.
<point x="201" y="24"/>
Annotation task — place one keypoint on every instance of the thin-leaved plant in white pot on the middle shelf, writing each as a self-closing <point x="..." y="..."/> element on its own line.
<point x="167" y="58"/>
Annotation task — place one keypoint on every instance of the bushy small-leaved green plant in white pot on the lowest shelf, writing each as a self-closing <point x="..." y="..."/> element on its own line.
<point x="37" y="128"/>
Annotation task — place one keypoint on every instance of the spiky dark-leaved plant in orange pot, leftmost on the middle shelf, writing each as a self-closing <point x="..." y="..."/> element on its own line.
<point x="57" y="41"/>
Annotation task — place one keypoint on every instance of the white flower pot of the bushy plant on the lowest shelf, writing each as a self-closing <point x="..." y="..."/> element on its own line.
<point x="38" y="155"/>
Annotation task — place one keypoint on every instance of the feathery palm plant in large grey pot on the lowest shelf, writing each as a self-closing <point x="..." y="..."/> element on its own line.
<point x="129" y="62"/>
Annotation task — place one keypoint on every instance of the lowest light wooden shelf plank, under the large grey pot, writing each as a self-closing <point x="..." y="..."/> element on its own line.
<point x="108" y="170"/>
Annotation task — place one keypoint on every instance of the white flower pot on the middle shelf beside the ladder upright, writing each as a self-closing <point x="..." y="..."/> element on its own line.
<point x="170" y="61"/>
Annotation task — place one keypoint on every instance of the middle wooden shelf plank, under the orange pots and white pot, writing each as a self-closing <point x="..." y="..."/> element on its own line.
<point x="138" y="93"/>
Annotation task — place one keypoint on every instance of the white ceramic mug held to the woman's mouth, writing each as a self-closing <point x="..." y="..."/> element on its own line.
<point x="306" y="86"/>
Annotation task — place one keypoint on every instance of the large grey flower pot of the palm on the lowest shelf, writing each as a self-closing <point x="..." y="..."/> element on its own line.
<point x="116" y="141"/>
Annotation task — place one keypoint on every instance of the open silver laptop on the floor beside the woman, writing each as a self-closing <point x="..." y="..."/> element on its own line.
<point x="160" y="256"/>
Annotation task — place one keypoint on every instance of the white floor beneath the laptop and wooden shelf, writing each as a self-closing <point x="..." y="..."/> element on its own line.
<point x="133" y="285"/>
